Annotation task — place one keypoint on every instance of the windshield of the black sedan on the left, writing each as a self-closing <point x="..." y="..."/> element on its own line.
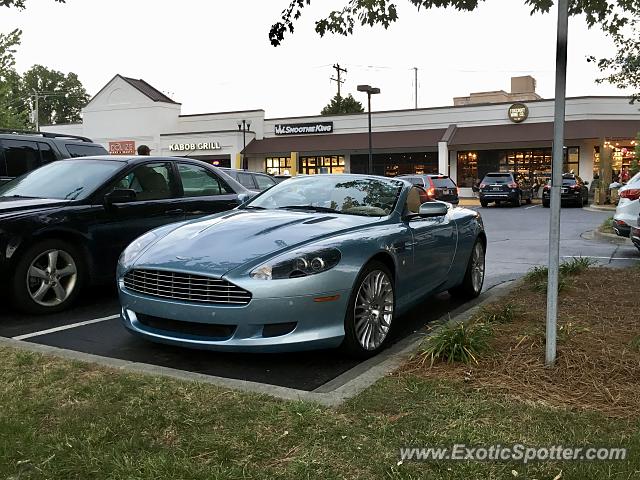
<point x="62" y="180"/>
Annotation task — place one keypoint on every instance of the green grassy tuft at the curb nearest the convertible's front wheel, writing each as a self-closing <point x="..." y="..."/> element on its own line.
<point x="457" y="343"/>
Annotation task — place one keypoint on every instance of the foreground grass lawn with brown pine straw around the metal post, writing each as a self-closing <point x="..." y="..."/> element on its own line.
<point x="61" y="419"/>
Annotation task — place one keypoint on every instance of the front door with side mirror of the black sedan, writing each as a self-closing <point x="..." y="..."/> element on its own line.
<point x="115" y="226"/>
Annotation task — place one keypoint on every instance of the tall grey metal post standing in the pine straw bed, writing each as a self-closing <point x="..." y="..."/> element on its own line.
<point x="556" y="182"/>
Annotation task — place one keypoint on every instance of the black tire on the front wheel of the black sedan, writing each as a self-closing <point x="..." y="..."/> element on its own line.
<point x="23" y="284"/>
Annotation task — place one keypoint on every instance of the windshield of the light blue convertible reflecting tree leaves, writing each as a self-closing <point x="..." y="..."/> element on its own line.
<point x="335" y="194"/>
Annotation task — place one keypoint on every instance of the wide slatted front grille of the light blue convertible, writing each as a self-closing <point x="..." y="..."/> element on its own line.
<point x="184" y="286"/>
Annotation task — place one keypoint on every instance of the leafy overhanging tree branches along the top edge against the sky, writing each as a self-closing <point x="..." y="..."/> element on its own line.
<point x="612" y="16"/>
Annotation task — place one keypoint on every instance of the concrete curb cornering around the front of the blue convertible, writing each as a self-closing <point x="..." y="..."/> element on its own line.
<point x="331" y="394"/>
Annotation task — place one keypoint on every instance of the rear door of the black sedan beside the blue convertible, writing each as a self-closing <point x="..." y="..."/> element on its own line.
<point x="203" y="191"/>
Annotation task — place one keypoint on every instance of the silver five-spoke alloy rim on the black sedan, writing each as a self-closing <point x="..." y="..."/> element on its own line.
<point x="51" y="278"/>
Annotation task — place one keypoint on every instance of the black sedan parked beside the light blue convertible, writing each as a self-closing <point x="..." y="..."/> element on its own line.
<point x="65" y="224"/>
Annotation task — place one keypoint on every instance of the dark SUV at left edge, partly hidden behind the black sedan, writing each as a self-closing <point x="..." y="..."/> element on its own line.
<point x="21" y="151"/>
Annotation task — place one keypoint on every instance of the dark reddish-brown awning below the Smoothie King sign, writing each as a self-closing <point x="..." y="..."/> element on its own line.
<point x="410" y="139"/>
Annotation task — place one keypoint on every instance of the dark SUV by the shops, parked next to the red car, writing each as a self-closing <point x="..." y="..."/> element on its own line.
<point x="507" y="187"/>
